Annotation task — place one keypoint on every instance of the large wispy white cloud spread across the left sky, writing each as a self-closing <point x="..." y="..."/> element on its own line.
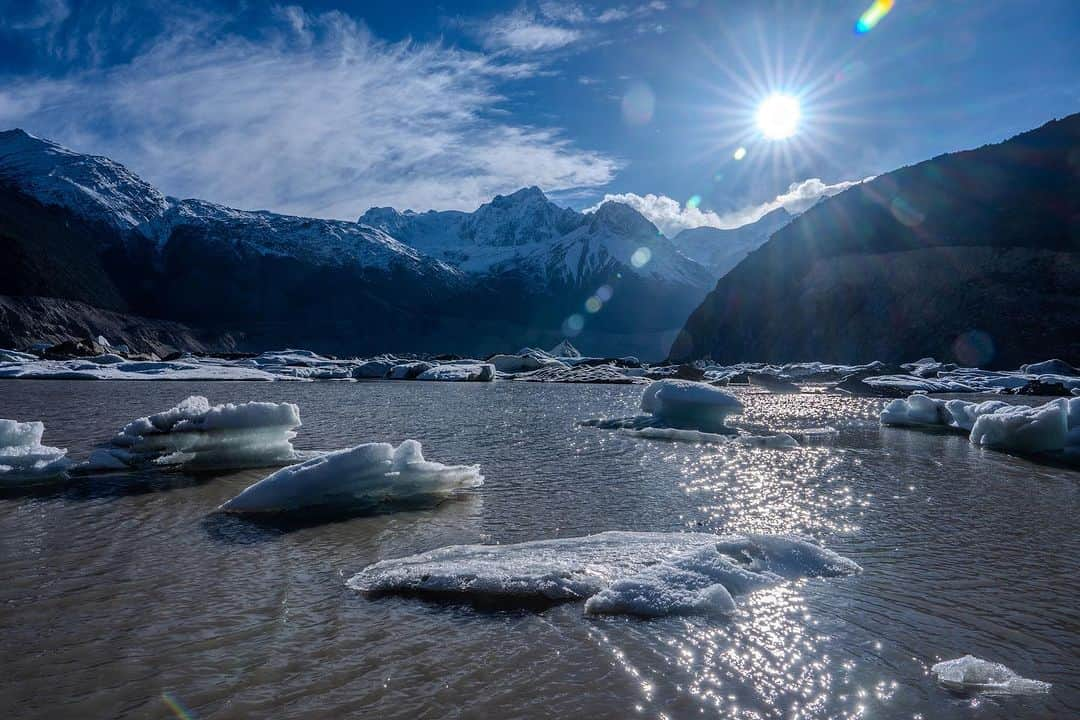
<point x="316" y="117"/>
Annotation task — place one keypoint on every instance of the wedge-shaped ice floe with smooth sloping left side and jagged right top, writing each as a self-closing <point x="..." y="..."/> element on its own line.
<point x="366" y="476"/>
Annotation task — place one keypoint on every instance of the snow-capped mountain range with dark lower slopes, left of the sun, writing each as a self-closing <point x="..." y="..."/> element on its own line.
<point x="518" y="271"/>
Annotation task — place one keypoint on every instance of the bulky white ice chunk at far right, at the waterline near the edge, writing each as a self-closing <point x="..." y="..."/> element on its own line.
<point x="1024" y="429"/>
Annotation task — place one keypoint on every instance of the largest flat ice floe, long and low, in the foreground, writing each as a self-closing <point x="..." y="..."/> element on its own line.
<point x="637" y="574"/>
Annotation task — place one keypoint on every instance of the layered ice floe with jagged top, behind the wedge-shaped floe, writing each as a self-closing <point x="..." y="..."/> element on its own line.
<point x="196" y="436"/>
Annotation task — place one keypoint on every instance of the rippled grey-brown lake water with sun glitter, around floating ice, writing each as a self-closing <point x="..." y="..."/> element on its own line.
<point x="128" y="597"/>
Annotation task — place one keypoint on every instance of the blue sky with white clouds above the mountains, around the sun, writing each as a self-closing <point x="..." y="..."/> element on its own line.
<point x="329" y="107"/>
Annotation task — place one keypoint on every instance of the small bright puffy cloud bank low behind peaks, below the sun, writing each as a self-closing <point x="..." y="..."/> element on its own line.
<point x="672" y="218"/>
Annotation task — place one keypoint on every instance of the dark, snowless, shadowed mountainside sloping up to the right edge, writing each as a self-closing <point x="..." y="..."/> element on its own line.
<point x="971" y="256"/>
